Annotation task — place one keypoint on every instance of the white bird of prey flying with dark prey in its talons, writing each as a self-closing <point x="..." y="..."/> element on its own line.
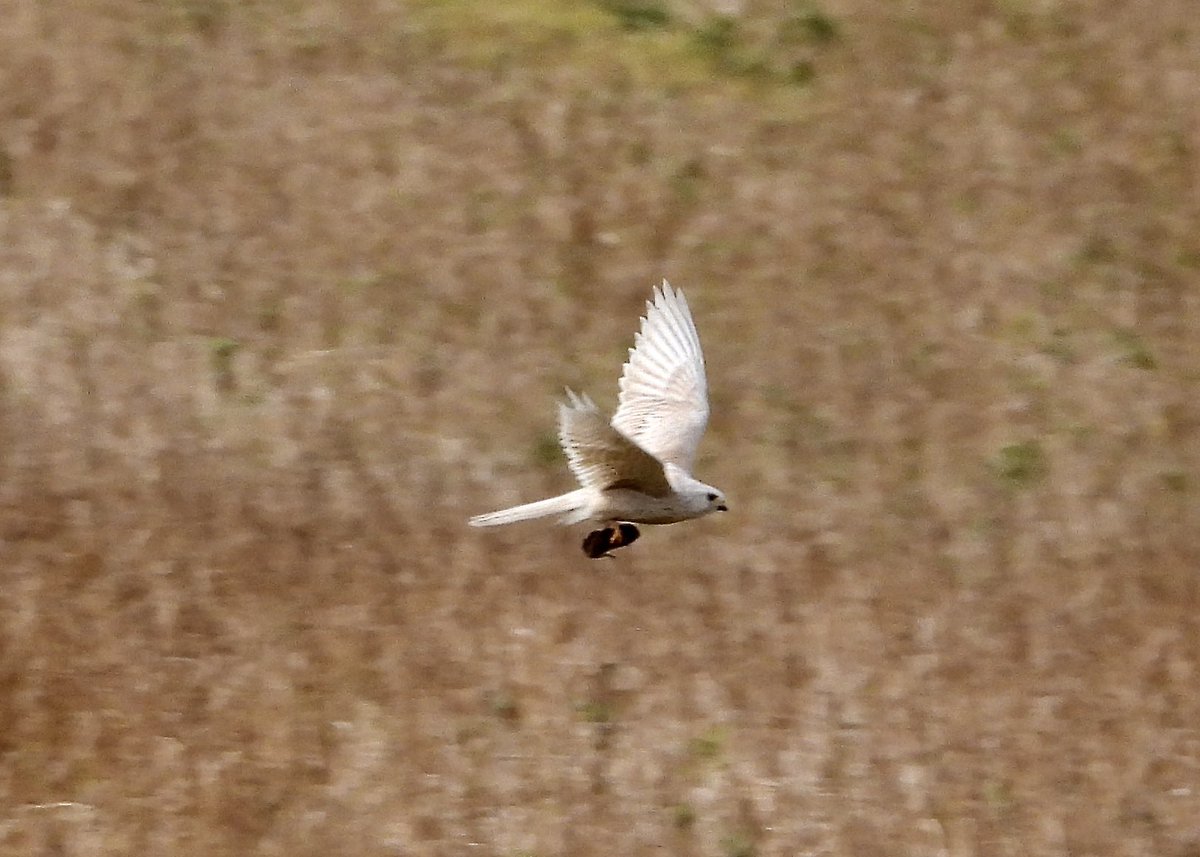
<point x="635" y="469"/>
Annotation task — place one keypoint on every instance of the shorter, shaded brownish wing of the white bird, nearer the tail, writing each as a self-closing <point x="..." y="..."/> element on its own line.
<point x="603" y="458"/>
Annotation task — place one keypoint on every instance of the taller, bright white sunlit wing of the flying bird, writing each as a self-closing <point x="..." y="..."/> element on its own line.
<point x="664" y="395"/>
